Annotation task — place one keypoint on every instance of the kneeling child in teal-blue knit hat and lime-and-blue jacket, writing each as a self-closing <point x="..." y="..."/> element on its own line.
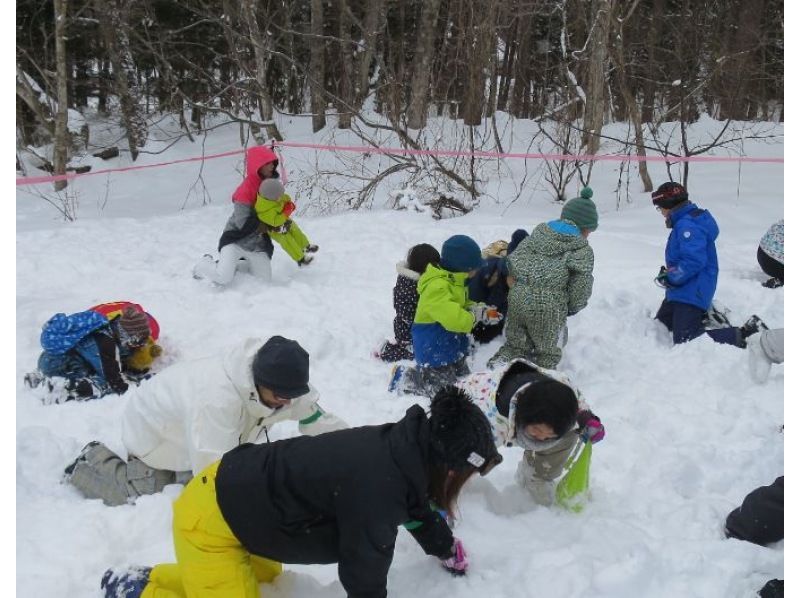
<point x="443" y="320"/>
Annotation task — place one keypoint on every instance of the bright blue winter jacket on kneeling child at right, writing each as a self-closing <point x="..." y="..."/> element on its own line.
<point x="691" y="257"/>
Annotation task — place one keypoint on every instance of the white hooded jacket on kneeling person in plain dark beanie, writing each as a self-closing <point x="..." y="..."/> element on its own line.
<point x="191" y="413"/>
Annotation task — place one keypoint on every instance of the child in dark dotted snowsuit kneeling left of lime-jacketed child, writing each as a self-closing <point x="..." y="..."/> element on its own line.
<point x="405" y="299"/>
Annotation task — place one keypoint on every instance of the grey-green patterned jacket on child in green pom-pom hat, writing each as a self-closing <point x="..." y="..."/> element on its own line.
<point x="554" y="266"/>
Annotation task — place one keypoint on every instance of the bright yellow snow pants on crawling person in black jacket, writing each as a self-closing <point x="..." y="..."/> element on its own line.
<point x="211" y="561"/>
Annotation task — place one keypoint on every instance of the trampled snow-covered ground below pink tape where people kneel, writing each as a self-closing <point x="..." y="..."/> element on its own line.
<point x="689" y="434"/>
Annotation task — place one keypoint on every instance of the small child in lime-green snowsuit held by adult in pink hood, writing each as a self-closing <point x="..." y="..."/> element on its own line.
<point x="274" y="208"/>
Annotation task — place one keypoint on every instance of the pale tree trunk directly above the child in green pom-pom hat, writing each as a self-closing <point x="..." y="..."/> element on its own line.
<point x="596" y="77"/>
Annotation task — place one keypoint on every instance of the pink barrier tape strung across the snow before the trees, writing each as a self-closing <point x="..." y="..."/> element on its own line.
<point x="412" y="152"/>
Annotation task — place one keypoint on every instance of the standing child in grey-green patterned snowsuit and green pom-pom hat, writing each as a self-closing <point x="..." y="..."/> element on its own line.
<point x="551" y="278"/>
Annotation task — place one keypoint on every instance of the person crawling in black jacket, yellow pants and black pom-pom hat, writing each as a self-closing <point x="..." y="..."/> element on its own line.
<point x="334" y="498"/>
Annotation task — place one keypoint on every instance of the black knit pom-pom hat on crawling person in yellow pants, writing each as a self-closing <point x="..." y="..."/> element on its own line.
<point x="461" y="437"/>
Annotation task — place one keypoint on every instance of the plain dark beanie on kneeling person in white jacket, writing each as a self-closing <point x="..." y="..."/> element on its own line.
<point x="281" y="365"/>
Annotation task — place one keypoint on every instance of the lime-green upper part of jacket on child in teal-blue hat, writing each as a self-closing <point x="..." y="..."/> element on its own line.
<point x="443" y="299"/>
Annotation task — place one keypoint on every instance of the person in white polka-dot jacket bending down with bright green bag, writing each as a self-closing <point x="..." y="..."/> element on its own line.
<point x="538" y="410"/>
